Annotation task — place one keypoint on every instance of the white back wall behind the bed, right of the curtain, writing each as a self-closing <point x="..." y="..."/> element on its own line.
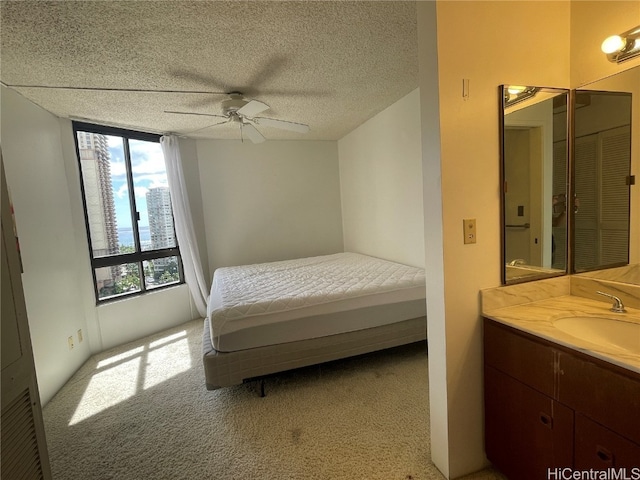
<point x="273" y="201"/>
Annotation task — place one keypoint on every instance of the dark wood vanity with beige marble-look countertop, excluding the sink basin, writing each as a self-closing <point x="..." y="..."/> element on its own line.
<point x="554" y="401"/>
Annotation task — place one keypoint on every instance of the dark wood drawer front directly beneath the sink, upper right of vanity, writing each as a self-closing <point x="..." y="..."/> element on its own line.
<point x="608" y="397"/>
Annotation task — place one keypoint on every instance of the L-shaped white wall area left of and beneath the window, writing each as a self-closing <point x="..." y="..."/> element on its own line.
<point x="43" y="178"/>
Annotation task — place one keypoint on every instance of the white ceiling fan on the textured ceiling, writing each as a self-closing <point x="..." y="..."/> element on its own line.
<point x="238" y="109"/>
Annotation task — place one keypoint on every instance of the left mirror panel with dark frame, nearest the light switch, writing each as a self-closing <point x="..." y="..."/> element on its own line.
<point x="534" y="182"/>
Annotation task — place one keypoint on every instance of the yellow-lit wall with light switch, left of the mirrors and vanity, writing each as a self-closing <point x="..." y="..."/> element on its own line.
<point x="488" y="44"/>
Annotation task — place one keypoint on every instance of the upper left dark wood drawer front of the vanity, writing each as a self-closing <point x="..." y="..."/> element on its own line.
<point x="511" y="352"/>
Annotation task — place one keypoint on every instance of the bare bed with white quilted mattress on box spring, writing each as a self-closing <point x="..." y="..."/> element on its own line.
<point x="271" y="317"/>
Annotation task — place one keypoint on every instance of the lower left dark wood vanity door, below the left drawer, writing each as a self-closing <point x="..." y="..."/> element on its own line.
<point x="526" y="432"/>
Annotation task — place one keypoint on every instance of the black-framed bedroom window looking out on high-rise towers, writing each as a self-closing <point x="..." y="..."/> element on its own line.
<point x="128" y="213"/>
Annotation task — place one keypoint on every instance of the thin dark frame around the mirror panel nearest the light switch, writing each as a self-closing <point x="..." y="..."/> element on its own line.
<point x="568" y="182"/>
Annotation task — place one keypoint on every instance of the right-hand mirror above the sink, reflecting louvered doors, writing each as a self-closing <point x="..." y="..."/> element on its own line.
<point x="603" y="165"/>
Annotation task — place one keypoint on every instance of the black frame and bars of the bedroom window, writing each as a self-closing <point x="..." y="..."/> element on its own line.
<point x="139" y="256"/>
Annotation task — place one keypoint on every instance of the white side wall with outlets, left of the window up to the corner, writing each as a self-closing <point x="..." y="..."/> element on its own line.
<point x="35" y="168"/>
